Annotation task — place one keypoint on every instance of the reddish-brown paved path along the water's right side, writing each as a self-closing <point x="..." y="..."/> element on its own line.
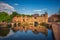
<point x="56" y="30"/>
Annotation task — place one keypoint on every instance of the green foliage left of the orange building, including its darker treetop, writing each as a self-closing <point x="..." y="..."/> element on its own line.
<point x="7" y="18"/>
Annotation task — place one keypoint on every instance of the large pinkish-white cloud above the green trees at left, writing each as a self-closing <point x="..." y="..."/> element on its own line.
<point x="6" y="7"/>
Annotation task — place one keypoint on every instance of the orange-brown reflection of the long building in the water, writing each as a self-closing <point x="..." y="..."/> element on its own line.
<point x="35" y="30"/>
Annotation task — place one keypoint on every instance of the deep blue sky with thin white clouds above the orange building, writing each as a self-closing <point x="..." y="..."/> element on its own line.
<point x="34" y="6"/>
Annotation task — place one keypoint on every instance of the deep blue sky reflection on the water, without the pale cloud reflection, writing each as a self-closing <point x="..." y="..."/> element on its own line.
<point x="29" y="35"/>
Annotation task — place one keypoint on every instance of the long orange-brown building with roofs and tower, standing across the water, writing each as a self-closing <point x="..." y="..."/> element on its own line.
<point x="36" y="18"/>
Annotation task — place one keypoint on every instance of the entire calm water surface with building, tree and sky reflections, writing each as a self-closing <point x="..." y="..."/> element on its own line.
<point x="26" y="33"/>
